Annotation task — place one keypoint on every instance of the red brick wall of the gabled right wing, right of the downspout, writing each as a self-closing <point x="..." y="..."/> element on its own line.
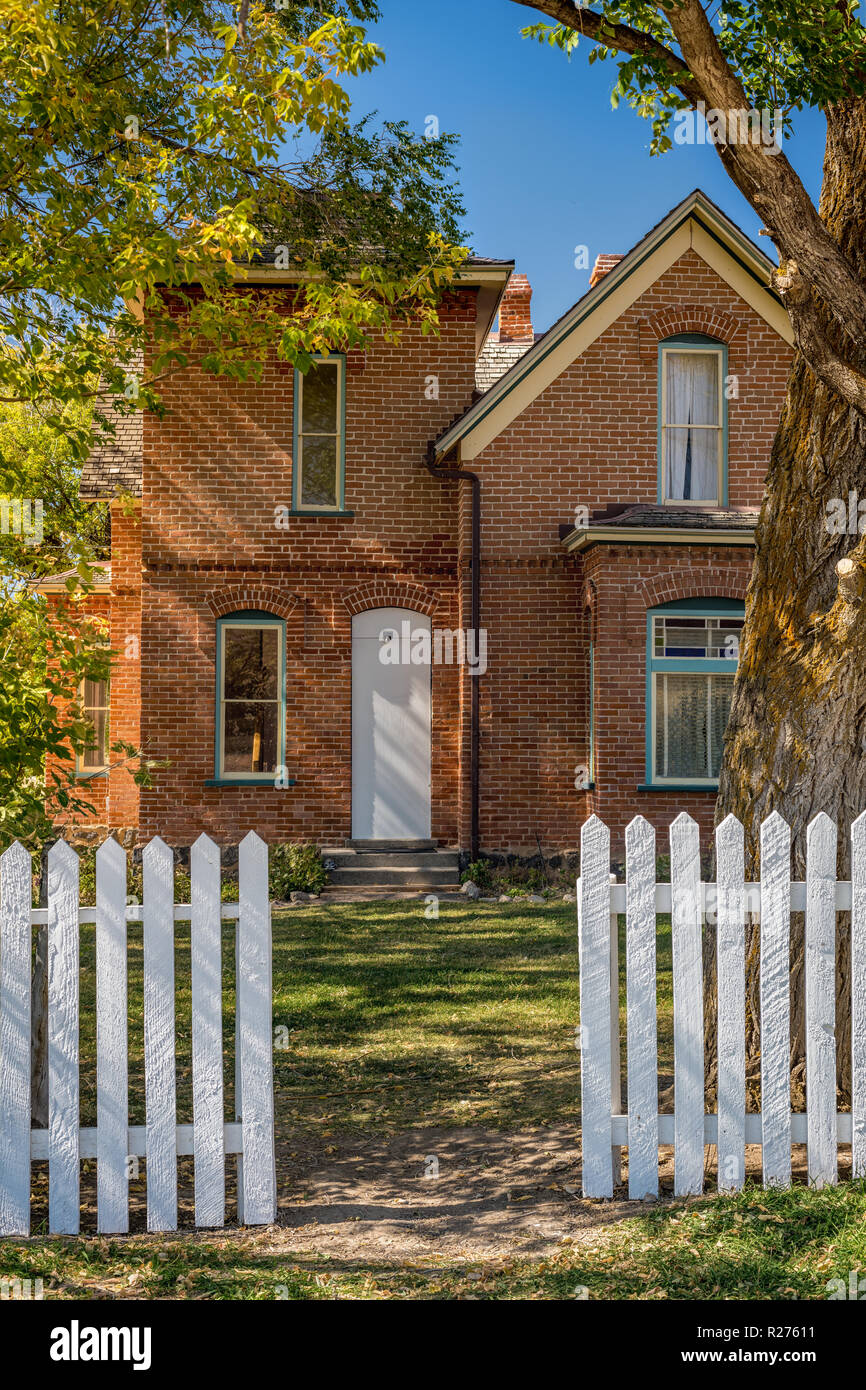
<point x="591" y="439"/>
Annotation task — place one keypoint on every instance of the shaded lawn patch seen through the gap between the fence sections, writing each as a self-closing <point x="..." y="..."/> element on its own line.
<point x="395" y="1021"/>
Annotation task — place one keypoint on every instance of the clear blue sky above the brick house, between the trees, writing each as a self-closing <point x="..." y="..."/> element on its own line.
<point x="546" y="163"/>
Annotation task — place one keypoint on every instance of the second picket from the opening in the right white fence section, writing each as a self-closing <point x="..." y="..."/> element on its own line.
<point x="642" y="1010"/>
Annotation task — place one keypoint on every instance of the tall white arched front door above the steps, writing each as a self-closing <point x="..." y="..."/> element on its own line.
<point x="391" y="726"/>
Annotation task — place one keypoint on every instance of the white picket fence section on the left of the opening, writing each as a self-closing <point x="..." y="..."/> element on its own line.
<point x="113" y="1142"/>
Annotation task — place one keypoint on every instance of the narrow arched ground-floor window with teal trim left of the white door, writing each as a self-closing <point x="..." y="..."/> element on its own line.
<point x="251" y="697"/>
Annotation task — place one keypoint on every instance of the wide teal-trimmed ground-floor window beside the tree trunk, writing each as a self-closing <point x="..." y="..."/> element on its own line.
<point x="693" y="650"/>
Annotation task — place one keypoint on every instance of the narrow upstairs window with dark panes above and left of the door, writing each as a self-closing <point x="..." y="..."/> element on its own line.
<point x="320" y="408"/>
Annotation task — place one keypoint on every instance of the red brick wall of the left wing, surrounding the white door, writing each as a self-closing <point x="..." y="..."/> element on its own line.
<point x="215" y="472"/>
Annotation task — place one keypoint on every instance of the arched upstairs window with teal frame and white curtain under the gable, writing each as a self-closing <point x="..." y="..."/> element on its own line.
<point x="693" y="422"/>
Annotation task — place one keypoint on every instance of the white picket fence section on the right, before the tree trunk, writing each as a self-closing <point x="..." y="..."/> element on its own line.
<point x="605" y="1131"/>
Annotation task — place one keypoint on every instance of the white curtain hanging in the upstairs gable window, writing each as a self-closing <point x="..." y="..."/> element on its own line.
<point x="692" y="400"/>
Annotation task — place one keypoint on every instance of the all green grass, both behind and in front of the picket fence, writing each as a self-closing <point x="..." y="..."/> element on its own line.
<point x="390" y="1021"/>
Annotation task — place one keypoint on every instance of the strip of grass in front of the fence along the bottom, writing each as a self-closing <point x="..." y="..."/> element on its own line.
<point x="754" y="1246"/>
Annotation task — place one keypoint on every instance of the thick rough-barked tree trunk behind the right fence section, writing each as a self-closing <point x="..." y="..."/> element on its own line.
<point x="797" y="735"/>
